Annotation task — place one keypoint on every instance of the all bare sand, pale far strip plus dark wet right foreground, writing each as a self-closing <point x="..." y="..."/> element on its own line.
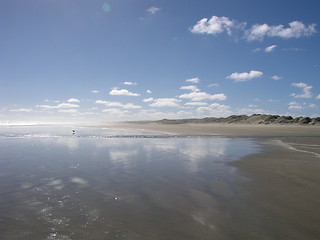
<point x="281" y="183"/>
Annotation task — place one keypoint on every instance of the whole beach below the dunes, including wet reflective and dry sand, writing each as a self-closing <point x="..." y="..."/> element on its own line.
<point x="160" y="182"/>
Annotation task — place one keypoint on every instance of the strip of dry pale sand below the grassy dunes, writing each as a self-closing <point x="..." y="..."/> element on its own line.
<point x="238" y="130"/>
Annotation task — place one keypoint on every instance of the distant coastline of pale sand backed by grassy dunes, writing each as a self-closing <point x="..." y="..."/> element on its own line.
<point x="257" y="125"/>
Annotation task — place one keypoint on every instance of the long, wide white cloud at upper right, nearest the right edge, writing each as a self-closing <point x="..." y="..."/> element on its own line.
<point x="296" y="29"/>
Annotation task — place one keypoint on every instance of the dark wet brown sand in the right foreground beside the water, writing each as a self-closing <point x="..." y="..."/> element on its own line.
<point x="282" y="188"/>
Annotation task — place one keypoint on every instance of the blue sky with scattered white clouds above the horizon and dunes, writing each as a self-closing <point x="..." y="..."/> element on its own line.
<point x="92" y="61"/>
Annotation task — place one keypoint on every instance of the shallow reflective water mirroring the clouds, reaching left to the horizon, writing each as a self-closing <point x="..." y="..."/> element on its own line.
<point x="94" y="183"/>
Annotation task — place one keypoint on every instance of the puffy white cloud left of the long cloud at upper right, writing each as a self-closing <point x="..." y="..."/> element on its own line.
<point x="215" y="25"/>
